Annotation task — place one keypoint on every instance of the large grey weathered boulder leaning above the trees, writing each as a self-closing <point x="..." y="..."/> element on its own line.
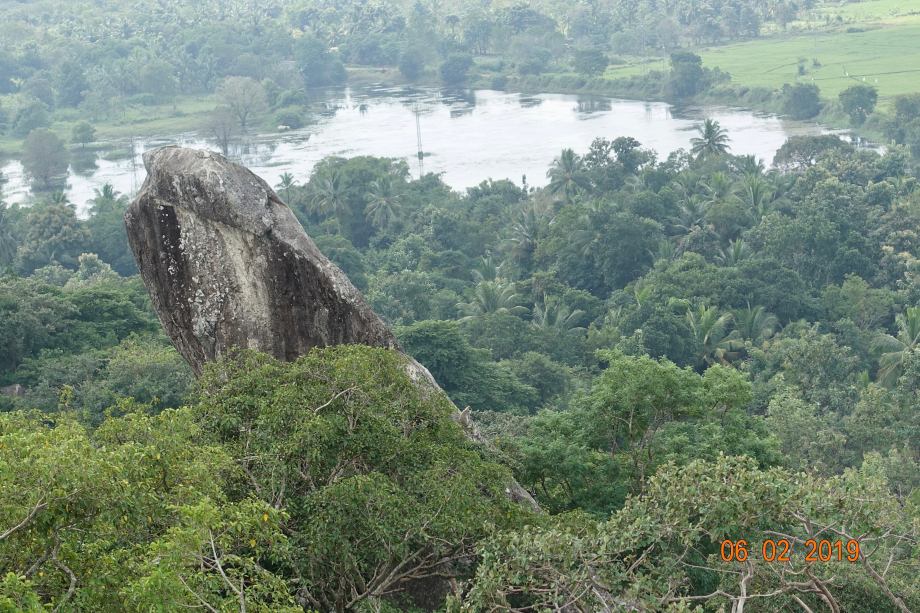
<point x="226" y="263"/>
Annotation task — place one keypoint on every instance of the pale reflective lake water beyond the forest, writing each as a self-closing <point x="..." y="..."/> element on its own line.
<point x="468" y="135"/>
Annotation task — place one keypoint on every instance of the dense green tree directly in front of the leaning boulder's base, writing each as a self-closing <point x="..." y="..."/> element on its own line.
<point x="375" y="474"/>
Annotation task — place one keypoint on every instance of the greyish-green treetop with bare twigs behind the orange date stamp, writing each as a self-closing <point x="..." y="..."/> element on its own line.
<point x="662" y="547"/>
